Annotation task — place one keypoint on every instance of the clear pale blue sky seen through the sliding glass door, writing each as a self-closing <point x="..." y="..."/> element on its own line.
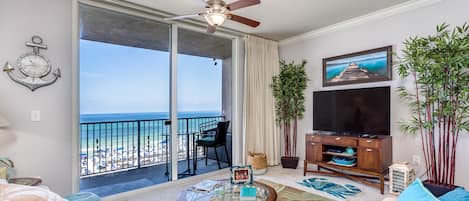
<point x="121" y="79"/>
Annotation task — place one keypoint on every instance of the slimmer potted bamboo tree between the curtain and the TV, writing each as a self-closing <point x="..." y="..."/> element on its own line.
<point x="288" y="89"/>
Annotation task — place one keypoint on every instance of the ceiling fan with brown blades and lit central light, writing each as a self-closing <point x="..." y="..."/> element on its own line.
<point x="218" y="11"/>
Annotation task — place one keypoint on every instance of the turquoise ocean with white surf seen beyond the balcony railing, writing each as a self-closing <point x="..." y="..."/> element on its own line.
<point x="101" y="132"/>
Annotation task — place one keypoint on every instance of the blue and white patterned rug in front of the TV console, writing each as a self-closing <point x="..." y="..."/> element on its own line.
<point x="337" y="190"/>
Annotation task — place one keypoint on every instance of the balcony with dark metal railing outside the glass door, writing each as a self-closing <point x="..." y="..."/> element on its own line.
<point x="120" y="156"/>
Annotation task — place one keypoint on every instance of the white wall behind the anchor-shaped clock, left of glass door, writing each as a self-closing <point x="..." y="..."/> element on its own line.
<point x="38" y="148"/>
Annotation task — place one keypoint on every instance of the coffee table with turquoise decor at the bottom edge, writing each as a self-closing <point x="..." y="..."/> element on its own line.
<point x="227" y="192"/>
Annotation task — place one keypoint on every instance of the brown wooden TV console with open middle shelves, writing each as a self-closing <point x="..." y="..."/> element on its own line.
<point x="373" y="157"/>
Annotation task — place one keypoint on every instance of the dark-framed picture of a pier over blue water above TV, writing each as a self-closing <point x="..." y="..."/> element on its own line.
<point x="373" y="65"/>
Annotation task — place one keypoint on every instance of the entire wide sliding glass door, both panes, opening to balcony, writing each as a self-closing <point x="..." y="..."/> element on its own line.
<point x="150" y="94"/>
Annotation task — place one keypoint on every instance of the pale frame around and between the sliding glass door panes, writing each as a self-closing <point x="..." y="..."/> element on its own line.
<point x="136" y="10"/>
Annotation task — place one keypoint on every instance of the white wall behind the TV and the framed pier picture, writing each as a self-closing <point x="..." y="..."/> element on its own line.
<point x="392" y="30"/>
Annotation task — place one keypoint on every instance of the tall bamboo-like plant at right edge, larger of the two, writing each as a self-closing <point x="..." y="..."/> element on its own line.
<point x="439" y="98"/>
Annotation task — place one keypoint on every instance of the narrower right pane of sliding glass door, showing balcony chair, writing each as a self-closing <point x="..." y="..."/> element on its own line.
<point x="203" y="101"/>
